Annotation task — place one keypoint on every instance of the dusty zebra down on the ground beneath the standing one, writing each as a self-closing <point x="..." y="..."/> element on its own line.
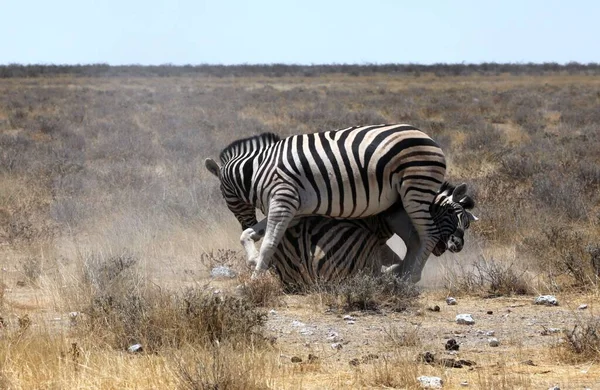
<point x="319" y="249"/>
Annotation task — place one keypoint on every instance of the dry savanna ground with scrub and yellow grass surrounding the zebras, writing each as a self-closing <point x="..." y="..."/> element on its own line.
<point x="106" y="210"/>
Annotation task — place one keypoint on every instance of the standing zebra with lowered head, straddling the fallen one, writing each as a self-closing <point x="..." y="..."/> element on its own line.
<point x="355" y="172"/>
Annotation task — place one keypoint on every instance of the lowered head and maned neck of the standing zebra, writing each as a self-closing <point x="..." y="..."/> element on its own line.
<point x="236" y="173"/>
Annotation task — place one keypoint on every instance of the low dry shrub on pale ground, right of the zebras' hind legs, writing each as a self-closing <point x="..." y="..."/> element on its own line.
<point x="488" y="277"/>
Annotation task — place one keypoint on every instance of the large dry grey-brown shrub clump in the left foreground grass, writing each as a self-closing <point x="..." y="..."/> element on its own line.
<point x="122" y="309"/>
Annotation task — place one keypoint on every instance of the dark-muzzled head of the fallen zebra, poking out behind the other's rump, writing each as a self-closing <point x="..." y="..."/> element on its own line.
<point x="450" y="212"/>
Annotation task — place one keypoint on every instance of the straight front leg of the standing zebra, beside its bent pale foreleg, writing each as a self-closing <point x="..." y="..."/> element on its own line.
<point x="281" y="212"/>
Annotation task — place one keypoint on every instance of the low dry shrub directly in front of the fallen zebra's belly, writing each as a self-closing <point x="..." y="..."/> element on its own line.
<point x="364" y="291"/>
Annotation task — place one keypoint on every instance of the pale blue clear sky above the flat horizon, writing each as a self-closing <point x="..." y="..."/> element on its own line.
<point x="149" y="32"/>
